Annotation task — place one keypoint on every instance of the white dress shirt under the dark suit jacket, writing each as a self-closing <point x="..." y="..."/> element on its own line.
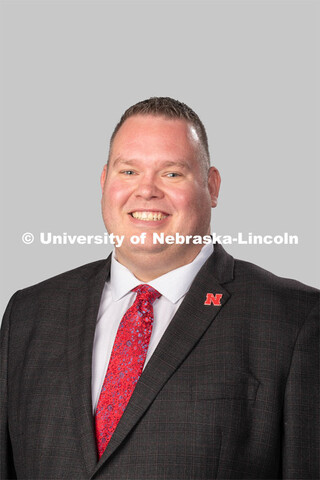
<point x="117" y="297"/>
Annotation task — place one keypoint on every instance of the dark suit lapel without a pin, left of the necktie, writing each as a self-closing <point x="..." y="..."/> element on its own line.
<point x="83" y="310"/>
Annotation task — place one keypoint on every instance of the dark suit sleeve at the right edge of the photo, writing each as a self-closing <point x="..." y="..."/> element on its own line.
<point x="301" y="408"/>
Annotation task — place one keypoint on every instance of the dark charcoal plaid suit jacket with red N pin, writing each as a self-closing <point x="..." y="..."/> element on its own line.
<point x="230" y="392"/>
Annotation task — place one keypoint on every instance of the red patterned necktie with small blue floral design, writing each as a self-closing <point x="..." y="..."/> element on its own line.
<point x="126" y="364"/>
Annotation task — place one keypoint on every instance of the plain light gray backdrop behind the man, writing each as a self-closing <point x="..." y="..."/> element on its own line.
<point x="70" y="68"/>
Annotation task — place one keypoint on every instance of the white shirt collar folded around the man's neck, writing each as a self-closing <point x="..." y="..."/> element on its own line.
<point x="172" y="285"/>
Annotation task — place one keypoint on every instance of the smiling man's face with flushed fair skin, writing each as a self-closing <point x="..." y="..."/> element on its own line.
<point x="155" y="181"/>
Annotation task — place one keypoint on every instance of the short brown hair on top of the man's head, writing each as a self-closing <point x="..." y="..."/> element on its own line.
<point x="169" y="108"/>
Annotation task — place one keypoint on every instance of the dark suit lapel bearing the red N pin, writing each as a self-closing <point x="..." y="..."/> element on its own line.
<point x="186" y="328"/>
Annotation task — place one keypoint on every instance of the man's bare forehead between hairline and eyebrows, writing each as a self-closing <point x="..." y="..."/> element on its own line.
<point x="155" y="135"/>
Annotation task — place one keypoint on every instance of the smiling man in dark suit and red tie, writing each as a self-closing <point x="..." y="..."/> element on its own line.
<point x="218" y="378"/>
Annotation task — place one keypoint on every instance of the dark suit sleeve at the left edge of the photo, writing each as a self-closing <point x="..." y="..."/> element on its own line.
<point x="6" y="458"/>
